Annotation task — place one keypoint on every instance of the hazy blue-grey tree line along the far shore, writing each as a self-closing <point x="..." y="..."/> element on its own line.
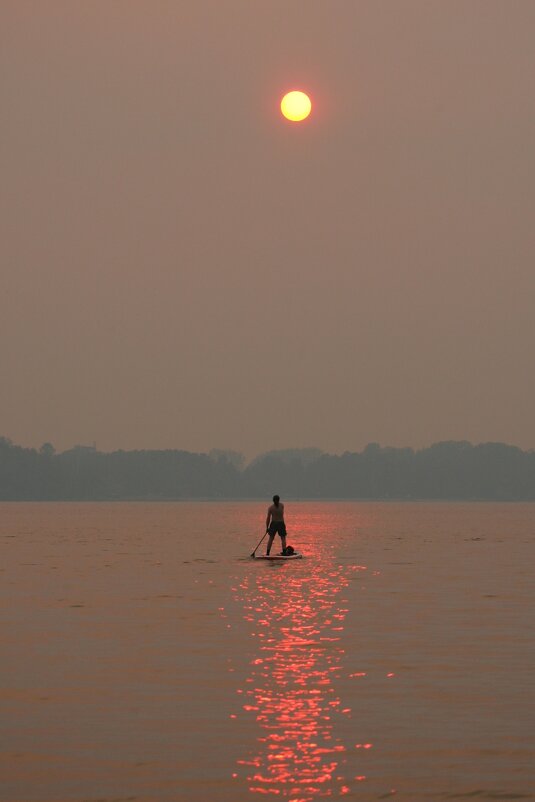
<point x="448" y="470"/>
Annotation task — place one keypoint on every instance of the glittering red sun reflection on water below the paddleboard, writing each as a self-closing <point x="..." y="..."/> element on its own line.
<point x="297" y="612"/>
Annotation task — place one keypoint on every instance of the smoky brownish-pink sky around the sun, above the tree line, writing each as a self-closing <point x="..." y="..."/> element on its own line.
<point x="182" y="268"/>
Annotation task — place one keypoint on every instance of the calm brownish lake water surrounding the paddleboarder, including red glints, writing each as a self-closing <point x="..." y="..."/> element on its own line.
<point x="145" y="657"/>
